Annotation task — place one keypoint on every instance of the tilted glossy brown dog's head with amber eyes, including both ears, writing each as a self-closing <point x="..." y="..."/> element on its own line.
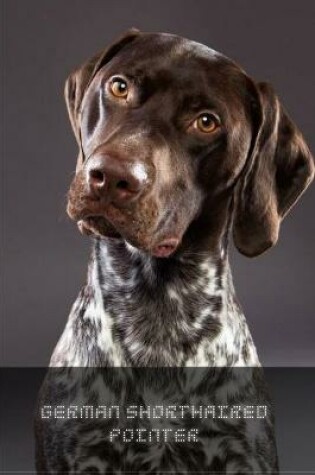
<point x="172" y="136"/>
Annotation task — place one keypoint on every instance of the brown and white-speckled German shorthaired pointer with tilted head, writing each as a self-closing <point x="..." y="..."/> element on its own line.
<point x="177" y="146"/>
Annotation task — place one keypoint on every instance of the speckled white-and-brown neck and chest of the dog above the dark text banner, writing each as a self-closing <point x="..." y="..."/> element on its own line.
<point x="138" y="310"/>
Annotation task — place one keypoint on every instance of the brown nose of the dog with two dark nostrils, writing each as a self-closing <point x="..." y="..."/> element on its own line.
<point x="116" y="179"/>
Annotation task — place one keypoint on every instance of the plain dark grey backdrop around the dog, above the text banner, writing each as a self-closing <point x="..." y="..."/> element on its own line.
<point x="44" y="256"/>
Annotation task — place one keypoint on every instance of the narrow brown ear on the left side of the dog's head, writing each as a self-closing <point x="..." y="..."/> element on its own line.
<point x="78" y="82"/>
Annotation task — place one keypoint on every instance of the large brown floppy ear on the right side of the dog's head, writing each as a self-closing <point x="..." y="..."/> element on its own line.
<point x="278" y="170"/>
